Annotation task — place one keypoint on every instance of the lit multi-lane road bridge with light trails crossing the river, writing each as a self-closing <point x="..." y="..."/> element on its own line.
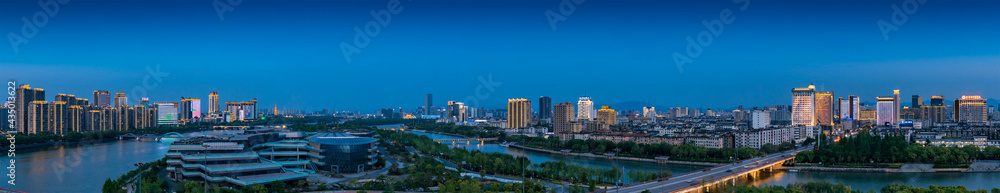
<point x="693" y="179"/>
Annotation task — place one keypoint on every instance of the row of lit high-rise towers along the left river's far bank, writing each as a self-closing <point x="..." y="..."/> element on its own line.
<point x="67" y="113"/>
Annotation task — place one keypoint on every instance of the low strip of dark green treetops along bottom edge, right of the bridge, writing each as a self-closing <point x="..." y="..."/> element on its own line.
<point x="828" y="187"/>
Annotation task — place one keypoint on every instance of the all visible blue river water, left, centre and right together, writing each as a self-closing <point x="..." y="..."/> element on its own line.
<point x="84" y="167"/>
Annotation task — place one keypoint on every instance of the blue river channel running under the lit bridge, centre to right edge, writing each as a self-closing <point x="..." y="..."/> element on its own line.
<point x="857" y="181"/>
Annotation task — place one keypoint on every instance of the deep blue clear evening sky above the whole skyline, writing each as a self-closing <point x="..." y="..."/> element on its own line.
<point x="288" y="53"/>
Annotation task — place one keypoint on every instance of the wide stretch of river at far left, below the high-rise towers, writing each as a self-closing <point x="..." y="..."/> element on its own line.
<point x="83" y="167"/>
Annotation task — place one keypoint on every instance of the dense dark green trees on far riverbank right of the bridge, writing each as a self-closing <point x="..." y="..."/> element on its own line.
<point x="866" y="148"/>
